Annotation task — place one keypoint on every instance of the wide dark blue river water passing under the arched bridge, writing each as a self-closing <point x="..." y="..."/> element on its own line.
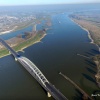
<point x="56" y="53"/>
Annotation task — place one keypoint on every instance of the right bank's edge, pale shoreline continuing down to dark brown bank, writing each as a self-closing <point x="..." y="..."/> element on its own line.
<point x="96" y="58"/>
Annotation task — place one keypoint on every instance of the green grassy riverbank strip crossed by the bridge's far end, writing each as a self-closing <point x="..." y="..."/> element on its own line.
<point x="21" y="46"/>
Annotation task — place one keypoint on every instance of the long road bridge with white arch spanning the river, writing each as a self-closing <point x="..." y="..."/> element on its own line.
<point x="36" y="73"/>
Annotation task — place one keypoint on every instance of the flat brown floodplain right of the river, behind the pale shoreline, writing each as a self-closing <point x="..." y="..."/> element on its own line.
<point x="89" y="21"/>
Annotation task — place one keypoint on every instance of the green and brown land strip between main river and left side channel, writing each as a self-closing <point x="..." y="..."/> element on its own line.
<point x="25" y="40"/>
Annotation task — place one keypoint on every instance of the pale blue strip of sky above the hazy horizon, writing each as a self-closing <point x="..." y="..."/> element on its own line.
<point x="38" y="2"/>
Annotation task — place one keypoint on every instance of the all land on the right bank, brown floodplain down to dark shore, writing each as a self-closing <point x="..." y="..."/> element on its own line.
<point x="90" y="21"/>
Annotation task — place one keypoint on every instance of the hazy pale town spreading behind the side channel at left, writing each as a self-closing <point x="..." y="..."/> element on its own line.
<point x="13" y="21"/>
